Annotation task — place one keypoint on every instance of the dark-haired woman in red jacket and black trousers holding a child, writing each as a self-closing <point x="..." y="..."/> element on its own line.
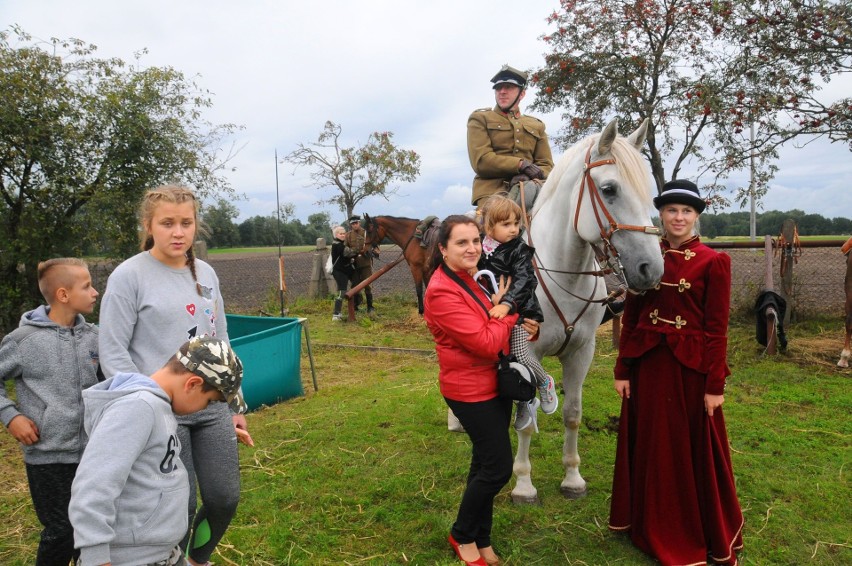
<point x="468" y="342"/>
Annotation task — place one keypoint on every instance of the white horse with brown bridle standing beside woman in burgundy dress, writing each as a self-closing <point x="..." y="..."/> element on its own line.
<point x="592" y="215"/>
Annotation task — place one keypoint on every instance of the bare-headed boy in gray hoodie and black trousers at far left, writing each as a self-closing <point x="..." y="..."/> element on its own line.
<point x="52" y="356"/>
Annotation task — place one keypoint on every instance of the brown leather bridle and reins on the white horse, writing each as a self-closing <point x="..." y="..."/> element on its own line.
<point x="607" y="254"/>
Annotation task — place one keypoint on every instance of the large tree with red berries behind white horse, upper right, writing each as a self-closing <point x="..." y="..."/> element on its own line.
<point x="702" y="73"/>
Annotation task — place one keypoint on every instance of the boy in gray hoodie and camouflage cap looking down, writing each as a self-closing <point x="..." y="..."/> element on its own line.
<point x="129" y="497"/>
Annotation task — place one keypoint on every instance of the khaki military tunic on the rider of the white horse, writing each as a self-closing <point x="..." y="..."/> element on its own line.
<point x="496" y="144"/>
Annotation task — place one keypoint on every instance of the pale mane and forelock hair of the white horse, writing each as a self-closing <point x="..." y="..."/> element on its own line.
<point x="630" y="164"/>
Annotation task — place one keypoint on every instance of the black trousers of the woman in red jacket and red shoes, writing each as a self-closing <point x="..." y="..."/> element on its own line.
<point x="487" y="425"/>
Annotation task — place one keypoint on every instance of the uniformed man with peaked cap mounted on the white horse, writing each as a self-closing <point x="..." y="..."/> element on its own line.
<point x="505" y="148"/>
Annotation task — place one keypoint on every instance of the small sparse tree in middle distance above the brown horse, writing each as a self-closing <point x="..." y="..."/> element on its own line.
<point x="355" y="172"/>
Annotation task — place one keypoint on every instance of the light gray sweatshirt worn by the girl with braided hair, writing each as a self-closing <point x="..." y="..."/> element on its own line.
<point x="149" y="309"/>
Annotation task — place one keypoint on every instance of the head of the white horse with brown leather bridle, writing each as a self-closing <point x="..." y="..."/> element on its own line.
<point x="601" y="190"/>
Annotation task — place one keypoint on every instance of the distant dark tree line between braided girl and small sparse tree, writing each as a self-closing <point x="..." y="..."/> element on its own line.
<point x="221" y="230"/>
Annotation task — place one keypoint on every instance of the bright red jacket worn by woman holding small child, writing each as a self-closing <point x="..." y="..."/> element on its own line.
<point x="467" y="340"/>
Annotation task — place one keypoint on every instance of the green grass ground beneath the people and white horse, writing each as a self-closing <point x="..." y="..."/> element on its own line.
<point x="363" y="471"/>
